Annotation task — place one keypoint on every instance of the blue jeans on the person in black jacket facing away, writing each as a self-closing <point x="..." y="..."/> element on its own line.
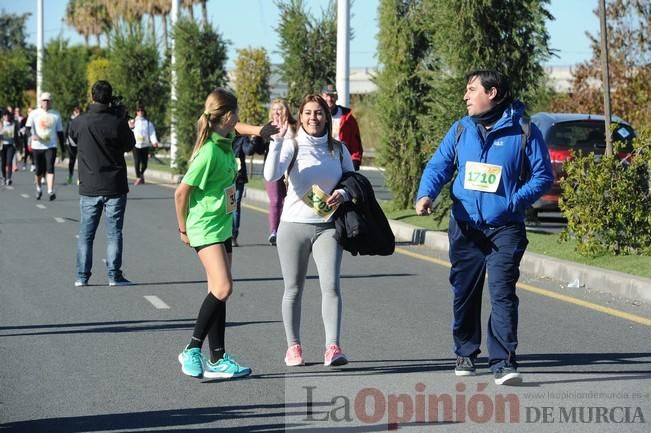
<point x="91" y="212"/>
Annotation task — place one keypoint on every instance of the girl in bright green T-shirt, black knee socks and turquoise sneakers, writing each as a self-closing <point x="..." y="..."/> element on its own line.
<point x="204" y="201"/>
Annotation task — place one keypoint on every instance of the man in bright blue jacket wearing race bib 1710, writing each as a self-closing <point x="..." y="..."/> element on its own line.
<point x="503" y="167"/>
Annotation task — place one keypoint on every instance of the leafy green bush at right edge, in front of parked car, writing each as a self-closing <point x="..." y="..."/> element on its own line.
<point x="607" y="202"/>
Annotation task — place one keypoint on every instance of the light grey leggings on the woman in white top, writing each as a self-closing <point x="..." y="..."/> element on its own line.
<point x="295" y="243"/>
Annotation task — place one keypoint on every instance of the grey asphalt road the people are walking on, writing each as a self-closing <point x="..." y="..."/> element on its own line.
<point x="103" y="359"/>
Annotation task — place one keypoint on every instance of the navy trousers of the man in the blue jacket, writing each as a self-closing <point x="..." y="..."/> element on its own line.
<point x="474" y="252"/>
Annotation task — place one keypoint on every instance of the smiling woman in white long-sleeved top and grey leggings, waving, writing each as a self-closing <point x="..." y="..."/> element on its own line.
<point x="314" y="161"/>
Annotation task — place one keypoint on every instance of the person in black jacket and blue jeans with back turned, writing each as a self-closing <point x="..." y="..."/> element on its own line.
<point x="103" y="136"/>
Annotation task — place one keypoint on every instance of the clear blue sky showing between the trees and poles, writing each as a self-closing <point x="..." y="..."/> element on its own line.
<point x="251" y="23"/>
